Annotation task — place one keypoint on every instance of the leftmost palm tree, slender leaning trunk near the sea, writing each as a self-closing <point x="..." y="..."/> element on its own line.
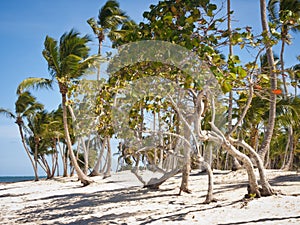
<point x="25" y="106"/>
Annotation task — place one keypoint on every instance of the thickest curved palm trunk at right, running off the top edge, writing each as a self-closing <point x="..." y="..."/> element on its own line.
<point x="265" y="146"/>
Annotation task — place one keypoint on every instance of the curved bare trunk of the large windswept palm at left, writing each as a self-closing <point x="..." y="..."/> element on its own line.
<point x="85" y="180"/>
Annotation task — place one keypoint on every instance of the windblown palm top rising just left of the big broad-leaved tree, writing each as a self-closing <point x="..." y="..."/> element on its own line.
<point x="109" y="18"/>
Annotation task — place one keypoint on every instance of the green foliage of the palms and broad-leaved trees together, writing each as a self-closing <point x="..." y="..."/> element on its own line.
<point x="193" y="25"/>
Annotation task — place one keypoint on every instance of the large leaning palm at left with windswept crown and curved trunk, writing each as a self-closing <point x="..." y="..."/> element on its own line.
<point x="68" y="60"/>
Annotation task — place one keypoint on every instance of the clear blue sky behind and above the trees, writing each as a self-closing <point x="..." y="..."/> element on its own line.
<point x="24" y="26"/>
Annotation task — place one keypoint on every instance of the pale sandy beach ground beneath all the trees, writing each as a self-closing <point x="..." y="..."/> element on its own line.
<point x="121" y="199"/>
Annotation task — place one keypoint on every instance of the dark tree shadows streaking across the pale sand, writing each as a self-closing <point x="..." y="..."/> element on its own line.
<point x="84" y="208"/>
